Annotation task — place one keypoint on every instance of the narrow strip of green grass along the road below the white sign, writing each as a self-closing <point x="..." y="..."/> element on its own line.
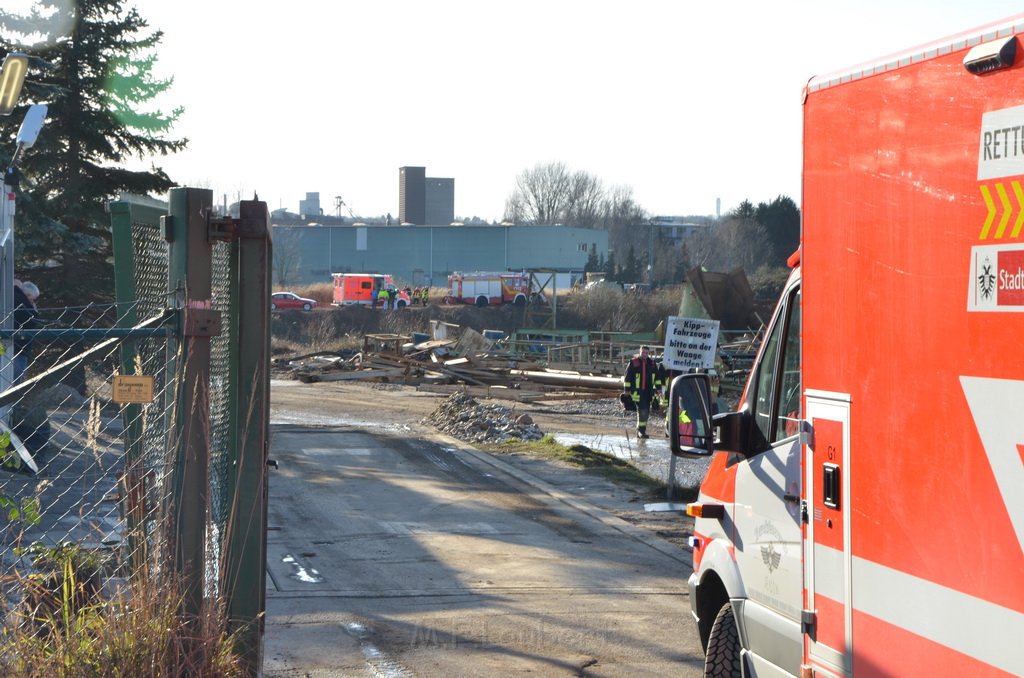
<point x="595" y="462"/>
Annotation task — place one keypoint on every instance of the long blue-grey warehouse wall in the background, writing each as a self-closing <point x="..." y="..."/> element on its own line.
<point x="418" y="256"/>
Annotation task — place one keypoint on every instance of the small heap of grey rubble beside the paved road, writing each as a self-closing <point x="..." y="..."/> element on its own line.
<point x="461" y="416"/>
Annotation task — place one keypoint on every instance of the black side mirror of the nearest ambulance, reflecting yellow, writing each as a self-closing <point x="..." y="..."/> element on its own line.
<point x="691" y="431"/>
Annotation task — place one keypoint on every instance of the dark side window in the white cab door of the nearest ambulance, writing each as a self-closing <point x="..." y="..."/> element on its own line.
<point x="777" y="395"/>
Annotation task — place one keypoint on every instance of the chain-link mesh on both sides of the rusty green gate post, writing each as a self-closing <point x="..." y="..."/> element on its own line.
<point x="81" y="469"/>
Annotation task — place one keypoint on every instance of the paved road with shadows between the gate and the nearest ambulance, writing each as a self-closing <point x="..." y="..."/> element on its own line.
<point x="401" y="556"/>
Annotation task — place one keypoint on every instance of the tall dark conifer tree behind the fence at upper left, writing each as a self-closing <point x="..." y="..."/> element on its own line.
<point x="95" y="74"/>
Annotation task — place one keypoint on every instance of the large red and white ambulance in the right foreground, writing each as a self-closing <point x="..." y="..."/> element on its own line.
<point x="864" y="512"/>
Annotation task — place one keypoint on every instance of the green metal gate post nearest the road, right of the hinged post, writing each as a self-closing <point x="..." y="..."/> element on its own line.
<point x="244" y="563"/>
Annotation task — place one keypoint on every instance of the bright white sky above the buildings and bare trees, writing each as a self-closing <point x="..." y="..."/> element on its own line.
<point x="685" y="102"/>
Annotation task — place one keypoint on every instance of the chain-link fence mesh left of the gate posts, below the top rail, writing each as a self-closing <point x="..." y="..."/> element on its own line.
<point x="65" y="467"/>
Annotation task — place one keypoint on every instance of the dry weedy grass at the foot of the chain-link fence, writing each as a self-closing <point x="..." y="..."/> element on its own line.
<point x="63" y="621"/>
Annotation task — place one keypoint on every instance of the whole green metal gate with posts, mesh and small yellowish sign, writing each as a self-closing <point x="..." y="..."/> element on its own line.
<point x="141" y="428"/>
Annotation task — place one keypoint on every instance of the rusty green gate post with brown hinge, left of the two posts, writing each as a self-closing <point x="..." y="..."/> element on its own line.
<point x="190" y="280"/>
